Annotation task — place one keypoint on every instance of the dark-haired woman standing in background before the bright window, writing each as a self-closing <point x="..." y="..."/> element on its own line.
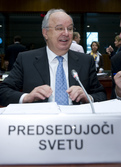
<point x="97" y="56"/>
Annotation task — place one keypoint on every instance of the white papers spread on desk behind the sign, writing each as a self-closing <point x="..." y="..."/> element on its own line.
<point x="105" y="107"/>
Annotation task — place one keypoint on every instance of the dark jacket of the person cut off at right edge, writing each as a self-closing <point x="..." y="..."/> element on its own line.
<point x="115" y="67"/>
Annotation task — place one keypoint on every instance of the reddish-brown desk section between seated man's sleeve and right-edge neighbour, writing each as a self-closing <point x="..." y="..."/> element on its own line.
<point x="106" y="81"/>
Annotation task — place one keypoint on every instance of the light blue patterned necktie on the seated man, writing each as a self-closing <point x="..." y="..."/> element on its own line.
<point x="61" y="96"/>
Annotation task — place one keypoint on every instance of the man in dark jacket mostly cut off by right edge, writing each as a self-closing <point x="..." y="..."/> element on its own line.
<point x="116" y="73"/>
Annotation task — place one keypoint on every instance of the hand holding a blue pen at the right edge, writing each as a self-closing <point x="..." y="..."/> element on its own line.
<point x="117" y="79"/>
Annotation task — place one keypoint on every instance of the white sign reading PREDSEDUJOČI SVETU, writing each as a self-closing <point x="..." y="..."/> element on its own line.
<point x="60" y="139"/>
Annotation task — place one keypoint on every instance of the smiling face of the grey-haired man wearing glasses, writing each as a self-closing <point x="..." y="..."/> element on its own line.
<point x="60" y="32"/>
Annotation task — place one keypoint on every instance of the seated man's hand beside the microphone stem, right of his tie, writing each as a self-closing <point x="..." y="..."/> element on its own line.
<point x="77" y="94"/>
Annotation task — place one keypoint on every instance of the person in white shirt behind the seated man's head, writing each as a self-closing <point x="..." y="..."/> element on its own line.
<point x="75" y="43"/>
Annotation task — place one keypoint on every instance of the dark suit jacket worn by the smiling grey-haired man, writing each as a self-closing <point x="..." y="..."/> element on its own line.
<point x="31" y="70"/>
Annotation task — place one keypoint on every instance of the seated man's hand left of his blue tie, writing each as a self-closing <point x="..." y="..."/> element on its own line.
<point x="38" y="93"/>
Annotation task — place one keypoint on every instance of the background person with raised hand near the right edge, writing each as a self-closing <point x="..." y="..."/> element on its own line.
<point x="117" y="43"/>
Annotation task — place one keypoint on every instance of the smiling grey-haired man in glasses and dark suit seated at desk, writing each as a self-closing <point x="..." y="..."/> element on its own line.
<point x="34" y="72"/>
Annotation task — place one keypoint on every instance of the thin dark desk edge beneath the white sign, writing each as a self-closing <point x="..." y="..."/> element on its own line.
<point x="71" y="165"/>
